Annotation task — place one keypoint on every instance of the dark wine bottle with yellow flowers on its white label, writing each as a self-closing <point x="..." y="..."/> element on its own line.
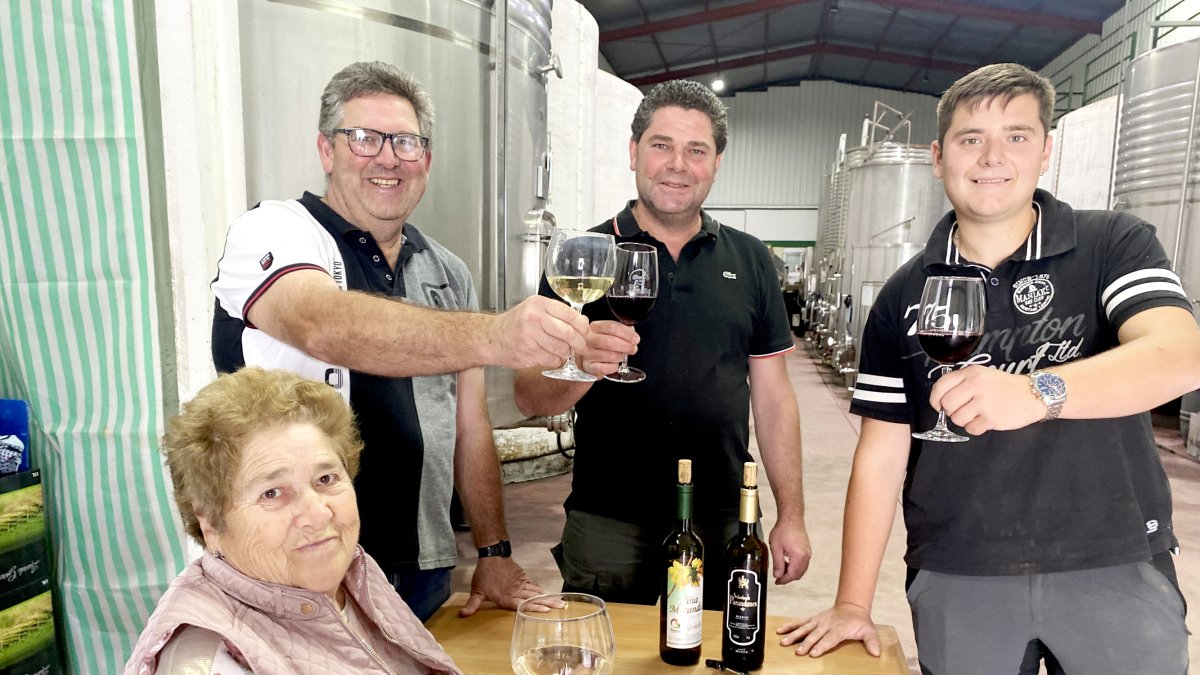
<point x="682" y="610"/>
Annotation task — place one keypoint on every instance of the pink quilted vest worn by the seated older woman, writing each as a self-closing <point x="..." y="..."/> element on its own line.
<point x="284" y="631"/>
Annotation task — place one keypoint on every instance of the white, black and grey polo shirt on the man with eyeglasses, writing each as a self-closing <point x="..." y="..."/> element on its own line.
<point x="406" y="476"/>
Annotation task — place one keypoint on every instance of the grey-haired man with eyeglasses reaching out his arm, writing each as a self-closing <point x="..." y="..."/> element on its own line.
<point x="315" y="286"/>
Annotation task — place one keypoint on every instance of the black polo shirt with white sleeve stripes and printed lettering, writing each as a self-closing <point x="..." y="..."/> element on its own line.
<point x="1061" y="495"/>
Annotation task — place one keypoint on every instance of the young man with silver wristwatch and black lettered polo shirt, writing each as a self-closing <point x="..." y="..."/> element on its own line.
<point x="1053" y="524"/>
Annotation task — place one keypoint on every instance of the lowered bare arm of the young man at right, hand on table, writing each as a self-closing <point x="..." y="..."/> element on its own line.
<point x="880" y="463"/>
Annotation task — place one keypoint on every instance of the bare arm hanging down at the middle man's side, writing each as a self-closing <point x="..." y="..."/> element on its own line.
<point x="777" y="423"/>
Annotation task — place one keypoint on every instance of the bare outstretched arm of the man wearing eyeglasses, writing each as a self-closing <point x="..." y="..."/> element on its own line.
<point x="307" y="310"/>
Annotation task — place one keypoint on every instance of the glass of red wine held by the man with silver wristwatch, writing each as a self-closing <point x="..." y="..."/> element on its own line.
<point x="953" y="310"/>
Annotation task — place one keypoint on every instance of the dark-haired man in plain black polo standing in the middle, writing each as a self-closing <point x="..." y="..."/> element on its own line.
<point x="712" y="348"/>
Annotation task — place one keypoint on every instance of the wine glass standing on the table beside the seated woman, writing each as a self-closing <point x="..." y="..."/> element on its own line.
<point x="574" y="638"/>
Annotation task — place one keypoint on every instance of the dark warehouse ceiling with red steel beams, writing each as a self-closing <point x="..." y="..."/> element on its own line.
<point x="919" y="46"/>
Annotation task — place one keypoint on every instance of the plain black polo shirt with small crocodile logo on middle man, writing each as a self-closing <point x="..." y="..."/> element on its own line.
<point x="718" y="307"/>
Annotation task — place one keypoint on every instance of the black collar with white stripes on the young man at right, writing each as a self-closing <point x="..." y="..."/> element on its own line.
<point x="1054" y="234"/>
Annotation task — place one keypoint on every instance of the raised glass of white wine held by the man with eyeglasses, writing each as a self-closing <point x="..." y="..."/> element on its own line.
<point x="579" y="267"/>
